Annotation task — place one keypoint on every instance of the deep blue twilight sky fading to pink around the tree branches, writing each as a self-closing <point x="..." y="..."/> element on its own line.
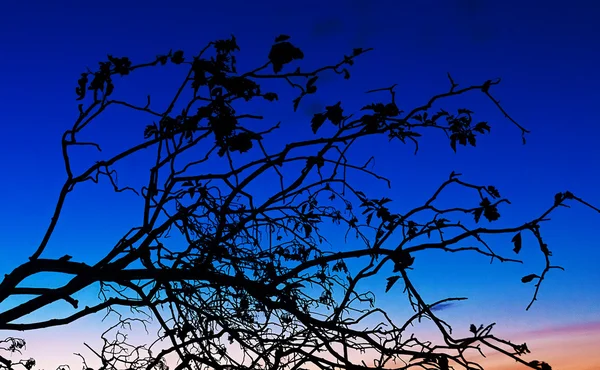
<point x="545" y="52"/>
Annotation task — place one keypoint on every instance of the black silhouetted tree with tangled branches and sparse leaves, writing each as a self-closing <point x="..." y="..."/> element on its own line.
<point x="255" y="284"/>
